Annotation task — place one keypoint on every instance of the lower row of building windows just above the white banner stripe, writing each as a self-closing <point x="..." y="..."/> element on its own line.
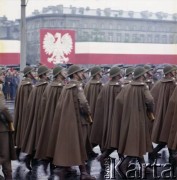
<point x="114" y="37"/>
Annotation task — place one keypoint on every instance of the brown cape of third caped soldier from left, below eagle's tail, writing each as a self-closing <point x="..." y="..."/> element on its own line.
<point x="49" y="100"/>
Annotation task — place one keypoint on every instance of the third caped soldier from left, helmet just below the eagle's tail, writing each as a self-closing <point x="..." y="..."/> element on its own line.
<point x="49" y="101"/>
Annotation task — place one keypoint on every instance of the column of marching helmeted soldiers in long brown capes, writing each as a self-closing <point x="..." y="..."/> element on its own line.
<point x="60" y="123"/>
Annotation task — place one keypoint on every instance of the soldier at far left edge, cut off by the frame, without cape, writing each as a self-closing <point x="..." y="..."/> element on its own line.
<point x="7" y="151"/>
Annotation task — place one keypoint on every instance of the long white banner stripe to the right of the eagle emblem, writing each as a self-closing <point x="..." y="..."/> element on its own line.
<point x="125" y="48"/>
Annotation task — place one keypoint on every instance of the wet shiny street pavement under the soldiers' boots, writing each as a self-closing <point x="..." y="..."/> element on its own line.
<point x="20" y="172"/>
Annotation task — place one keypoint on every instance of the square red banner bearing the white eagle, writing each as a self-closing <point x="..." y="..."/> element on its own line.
<point x="57" y="47"/>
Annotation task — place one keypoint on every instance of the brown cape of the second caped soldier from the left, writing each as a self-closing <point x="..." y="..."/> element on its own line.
<point x="33" y="117"/>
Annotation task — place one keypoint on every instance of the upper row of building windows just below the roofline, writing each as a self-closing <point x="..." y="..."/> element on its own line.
<point x="128" y="26"/>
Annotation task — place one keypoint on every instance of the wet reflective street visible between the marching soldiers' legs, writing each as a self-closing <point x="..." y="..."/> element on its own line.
<point x="21" y="173"/>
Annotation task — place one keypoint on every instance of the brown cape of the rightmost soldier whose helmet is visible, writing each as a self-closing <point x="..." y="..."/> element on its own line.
<point x="161" y="92"/>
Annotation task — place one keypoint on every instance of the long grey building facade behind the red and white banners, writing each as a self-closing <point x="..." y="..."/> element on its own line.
<point x="96" y="25"/>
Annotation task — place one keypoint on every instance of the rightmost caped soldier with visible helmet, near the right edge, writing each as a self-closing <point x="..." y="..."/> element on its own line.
<point x="162" y="92"/>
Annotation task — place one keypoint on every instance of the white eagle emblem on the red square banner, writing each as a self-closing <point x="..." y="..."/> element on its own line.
<point x="58" y="47"/>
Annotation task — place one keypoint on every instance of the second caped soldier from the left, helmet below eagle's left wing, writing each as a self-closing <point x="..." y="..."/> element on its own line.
<point x="34" y="117"/>
